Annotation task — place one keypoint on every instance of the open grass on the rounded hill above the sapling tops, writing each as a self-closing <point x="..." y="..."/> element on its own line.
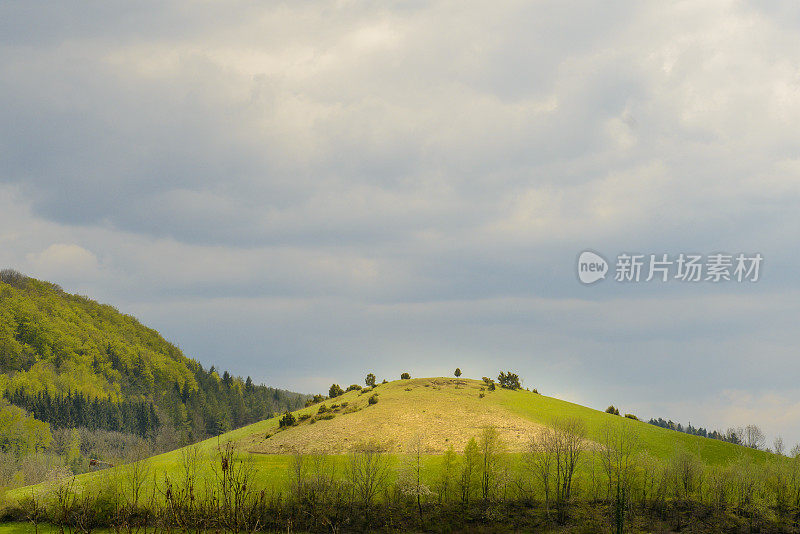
<point x="442" y="411"/>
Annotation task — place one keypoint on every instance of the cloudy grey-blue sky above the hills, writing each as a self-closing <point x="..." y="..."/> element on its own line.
<point x="308" y="191"/>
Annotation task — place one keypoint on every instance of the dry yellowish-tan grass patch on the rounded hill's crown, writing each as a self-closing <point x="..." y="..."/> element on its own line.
<point x="443" y="412"/>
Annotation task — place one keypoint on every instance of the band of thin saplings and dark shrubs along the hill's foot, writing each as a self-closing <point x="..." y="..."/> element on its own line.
<point x="562" y="482"/>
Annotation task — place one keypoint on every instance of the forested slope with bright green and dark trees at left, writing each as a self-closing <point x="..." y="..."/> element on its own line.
<point x="74" y="363"/>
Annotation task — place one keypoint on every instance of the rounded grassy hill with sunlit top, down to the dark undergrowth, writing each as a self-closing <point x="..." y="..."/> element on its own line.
<point x="314" y="455"/>
